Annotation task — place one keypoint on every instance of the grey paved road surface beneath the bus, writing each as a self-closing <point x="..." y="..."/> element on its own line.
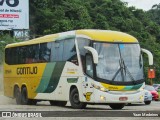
<point x="8" y="104"/>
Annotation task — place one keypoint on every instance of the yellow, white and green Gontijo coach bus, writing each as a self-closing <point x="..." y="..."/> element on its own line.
<point x="81" y="67"/>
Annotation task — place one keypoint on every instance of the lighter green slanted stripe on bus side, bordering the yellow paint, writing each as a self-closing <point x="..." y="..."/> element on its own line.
<point x="46" y="77"/>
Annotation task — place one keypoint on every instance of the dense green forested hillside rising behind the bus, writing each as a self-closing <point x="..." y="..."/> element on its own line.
<point x="52" y="16"/>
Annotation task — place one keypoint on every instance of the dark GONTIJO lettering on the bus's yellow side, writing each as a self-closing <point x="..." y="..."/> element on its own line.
<point x="27" y="70"/>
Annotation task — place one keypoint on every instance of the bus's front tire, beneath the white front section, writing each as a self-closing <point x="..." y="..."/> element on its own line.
<point x="74" y="100"/>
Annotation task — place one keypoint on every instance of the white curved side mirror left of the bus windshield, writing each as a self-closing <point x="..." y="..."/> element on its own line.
<point x="94" y="53"/>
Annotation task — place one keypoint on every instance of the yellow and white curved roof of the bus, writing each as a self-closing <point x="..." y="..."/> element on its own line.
<point x="96" y="35"/>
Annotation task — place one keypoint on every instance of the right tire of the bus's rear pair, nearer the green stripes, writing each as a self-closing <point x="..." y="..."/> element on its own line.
<point x="24" y="98"/>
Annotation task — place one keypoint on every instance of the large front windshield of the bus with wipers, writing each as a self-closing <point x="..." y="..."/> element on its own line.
<point x="119" y="62"/>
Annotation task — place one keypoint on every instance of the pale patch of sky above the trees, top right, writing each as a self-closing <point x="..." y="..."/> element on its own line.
<point x="142" y="4"/>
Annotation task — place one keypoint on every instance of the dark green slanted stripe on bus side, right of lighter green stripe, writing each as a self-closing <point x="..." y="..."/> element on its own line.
<point x="56" y="74"/>
